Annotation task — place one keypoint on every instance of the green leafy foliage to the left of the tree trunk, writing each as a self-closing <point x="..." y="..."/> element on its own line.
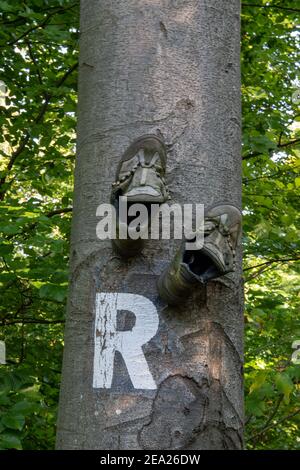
<point x="39" y="42"/>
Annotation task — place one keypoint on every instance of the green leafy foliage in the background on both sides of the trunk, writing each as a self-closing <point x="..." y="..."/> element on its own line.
<point x="39" y="45"/>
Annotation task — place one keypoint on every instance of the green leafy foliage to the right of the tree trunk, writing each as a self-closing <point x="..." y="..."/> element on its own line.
<point x="271" y="138"/>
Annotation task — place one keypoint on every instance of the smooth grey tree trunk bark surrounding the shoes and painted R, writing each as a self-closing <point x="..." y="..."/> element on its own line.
<point x="145" y="66"/>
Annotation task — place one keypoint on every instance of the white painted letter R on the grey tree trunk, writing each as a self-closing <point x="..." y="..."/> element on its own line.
<point x="129" y="343"/>
